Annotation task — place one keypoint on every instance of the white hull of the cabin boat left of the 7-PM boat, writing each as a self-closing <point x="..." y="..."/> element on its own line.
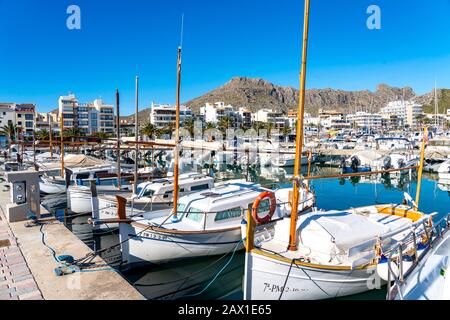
<point x="159" y="247"/>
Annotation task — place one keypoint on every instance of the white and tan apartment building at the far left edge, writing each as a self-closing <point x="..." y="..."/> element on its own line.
<point x="20" y="115"/>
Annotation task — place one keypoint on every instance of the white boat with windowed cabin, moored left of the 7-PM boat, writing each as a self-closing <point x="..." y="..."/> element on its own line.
<point x="207" y="223"/>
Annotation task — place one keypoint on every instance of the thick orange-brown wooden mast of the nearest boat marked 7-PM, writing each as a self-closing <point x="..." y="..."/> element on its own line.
<point x="299" y="136"/>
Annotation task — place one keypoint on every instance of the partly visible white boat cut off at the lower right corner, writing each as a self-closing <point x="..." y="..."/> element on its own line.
<point x="428" y="278"/>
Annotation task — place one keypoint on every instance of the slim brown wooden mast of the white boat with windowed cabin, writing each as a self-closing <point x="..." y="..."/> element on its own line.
<point x="177" y="138"/>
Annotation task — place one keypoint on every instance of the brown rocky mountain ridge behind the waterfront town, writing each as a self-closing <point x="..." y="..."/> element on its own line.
<point x="256" y="93"/>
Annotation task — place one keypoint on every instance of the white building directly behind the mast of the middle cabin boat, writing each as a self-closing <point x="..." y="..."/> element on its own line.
<point x="163" y="115"/>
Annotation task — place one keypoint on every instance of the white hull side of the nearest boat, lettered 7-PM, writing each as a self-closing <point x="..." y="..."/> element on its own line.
<point x="268" y="278"/>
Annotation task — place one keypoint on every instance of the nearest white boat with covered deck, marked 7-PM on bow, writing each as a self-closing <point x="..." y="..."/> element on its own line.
<point x="337" y="253"/>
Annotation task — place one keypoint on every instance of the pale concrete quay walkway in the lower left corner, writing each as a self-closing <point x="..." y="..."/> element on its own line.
<point x="27" y="265"/>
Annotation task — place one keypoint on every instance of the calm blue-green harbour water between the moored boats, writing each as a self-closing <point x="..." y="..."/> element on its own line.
<point x="191" y="279"/>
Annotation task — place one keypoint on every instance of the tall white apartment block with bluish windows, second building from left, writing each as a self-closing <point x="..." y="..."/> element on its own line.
<point x="87" y="117"/>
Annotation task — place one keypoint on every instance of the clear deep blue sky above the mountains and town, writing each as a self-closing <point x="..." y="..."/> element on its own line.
<point x="41" y="59"/>
